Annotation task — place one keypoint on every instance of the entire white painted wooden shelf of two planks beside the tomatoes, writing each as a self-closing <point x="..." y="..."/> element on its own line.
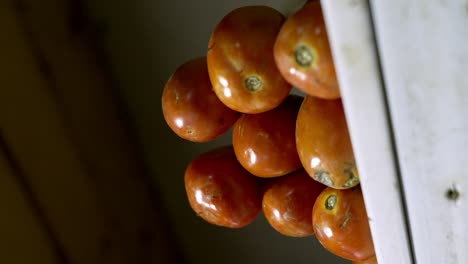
<point x="403" y="71"/>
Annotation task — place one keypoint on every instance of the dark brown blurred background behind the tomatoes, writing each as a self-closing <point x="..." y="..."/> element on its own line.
<point x="89" y="171"/>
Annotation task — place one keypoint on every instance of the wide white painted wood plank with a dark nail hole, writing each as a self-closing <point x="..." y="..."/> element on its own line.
<point x="424" y="52"/>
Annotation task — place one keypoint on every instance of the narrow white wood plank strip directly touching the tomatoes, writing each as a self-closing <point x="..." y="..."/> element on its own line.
<point x="350" y="32"/>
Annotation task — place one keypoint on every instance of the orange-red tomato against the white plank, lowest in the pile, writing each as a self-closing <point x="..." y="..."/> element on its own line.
<point x="341" y="225"/>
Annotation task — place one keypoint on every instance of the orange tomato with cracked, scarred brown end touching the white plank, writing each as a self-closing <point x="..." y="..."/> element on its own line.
<point x="323" y="143"/>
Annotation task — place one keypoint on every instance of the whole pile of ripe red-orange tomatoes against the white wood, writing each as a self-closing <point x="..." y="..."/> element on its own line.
<point x="291" y="156"/>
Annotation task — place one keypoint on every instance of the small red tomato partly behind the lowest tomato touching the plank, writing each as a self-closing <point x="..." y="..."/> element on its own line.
<point x="288" y="203"/>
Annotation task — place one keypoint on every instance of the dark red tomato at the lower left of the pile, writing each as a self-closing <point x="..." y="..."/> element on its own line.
<point x="221" y="191"/>
